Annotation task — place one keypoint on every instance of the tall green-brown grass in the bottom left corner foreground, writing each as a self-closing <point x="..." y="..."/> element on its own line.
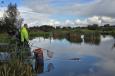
<point x="15" y="68"/>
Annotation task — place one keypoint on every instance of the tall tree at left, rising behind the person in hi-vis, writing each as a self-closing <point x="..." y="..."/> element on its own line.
<point x="11" y="19"/>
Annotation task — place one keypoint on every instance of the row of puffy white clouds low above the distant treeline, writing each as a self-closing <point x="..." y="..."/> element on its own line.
<point x="83" y="23"/>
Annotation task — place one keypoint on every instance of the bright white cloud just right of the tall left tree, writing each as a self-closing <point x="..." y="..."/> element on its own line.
<point x="33" y="18"/>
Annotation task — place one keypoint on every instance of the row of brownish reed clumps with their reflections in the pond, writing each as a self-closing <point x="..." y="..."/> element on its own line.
<point x="76" y="38"/>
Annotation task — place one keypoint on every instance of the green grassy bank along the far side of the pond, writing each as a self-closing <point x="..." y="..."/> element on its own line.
<point x="62" y="32"/>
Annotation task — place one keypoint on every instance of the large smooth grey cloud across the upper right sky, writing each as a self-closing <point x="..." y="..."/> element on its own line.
<point x="98" y="8"/>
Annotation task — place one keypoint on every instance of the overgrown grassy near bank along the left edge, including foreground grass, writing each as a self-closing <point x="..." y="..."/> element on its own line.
<point x="15" y="66"/>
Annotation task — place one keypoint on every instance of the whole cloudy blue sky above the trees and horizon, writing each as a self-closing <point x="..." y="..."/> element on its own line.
<point x="72" y="13"/>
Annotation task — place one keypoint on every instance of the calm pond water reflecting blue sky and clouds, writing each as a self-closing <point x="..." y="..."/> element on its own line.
<point x="84" y="58"/>
